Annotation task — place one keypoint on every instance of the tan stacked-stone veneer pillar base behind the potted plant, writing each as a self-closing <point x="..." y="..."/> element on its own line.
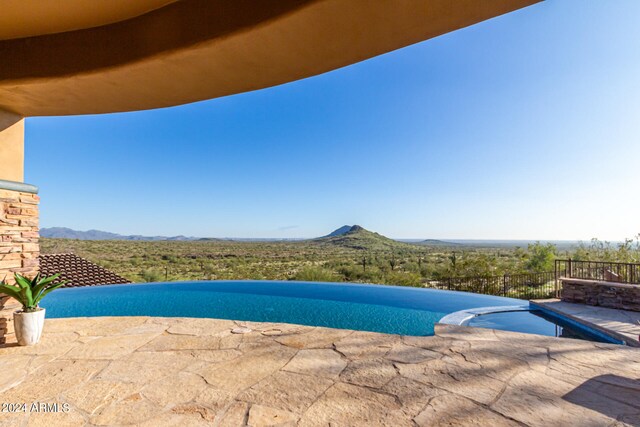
<point x="19" y="247"/>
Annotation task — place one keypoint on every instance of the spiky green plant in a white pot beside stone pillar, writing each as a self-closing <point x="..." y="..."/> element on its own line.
<point x="29" y="322"/>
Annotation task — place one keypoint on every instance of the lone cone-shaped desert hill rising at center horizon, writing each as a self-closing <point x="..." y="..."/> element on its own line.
<point x="356" y="237"/>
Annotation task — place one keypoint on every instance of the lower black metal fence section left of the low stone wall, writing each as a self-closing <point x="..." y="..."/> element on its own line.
<point x="521" y="286"/>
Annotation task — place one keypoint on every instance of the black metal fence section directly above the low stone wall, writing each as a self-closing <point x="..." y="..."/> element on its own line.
<point x="620" y="272"/>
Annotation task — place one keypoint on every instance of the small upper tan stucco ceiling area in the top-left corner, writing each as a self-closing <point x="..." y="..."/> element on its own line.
<point x="26" y="18"/>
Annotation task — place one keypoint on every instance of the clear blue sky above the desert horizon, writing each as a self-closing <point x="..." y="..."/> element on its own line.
<point x="526" y="126"/>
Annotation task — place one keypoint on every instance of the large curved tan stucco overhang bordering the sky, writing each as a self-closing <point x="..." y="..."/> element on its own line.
<point x="193" y="50"/>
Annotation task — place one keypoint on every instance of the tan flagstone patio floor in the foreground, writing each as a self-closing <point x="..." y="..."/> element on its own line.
<point x="192" y="372"/>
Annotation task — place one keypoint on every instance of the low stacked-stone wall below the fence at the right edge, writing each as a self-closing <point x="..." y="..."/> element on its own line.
<point x="604" y="294"/>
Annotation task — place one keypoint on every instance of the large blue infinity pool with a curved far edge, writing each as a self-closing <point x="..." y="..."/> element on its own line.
<point x="376" y="308"/>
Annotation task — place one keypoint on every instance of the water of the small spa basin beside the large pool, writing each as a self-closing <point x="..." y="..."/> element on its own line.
<point x="537" y="322"/>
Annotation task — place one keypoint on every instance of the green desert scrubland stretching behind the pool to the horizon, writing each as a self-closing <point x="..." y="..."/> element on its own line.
<point x="358" y="256"/>
